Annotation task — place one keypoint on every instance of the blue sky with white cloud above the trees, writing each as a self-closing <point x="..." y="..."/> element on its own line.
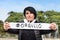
<point x="19" y="5"/>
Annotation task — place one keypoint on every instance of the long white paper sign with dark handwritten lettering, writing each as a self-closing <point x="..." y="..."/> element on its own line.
<point x="37" y="26"/>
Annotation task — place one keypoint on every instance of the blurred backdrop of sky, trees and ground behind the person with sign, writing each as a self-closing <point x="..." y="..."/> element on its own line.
<point x="47" y="11"/>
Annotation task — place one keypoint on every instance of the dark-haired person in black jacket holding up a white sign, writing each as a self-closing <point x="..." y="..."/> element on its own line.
<point x="26" y="34"/>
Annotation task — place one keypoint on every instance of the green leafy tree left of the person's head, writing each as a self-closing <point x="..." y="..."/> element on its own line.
<point x="14" y="17"/>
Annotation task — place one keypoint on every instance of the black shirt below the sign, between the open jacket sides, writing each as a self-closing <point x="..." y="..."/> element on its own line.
<point x="28" y="35"/>
